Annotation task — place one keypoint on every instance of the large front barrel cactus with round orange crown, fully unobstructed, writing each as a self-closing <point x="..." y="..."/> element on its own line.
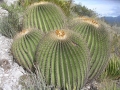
<point x="63" y="59"/>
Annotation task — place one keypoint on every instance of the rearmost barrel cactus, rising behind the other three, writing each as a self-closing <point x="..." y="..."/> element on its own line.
<point x="45" y="16"/>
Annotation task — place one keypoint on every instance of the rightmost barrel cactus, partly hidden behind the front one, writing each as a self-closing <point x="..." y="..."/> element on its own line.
<point x="98" y="43"/>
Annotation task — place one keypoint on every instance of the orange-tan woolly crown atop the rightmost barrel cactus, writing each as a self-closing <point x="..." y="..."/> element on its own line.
<point x="89" y="21"/>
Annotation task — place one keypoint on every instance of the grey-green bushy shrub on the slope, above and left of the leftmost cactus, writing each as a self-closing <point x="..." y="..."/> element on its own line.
<point x="10" y="24"/>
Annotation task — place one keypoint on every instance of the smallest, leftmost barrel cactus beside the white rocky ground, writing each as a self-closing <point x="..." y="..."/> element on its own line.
<point x="24" y="47"/>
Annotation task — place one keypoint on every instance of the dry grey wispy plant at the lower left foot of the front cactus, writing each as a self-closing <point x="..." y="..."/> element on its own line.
<point x="31" y="81"/>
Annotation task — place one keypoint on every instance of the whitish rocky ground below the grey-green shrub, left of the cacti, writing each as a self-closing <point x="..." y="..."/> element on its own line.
<point x="9" y="70"/>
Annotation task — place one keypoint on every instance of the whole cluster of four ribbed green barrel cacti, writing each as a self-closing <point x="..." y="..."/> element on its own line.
<point x="67" y="57"/>
